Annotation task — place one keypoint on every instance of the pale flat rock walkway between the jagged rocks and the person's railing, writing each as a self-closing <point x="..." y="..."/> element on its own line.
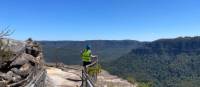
<point x="59" y="78"/>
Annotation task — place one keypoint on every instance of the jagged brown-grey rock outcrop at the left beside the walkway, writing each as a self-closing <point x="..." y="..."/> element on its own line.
<point x="20" y="62"/>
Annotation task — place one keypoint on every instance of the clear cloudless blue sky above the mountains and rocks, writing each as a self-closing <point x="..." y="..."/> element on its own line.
<point x="143" y="20"/>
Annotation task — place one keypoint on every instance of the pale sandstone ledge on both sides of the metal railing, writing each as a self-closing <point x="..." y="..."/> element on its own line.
<point x="71" y="77"/>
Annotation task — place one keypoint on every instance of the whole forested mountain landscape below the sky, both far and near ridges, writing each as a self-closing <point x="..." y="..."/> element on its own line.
<point x="161" y="63"/>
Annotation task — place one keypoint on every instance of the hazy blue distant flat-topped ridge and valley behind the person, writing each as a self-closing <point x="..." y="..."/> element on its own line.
<point x="68" y="52"/>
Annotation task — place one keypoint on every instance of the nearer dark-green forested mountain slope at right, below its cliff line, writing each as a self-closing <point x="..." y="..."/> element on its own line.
<point x="163" y="63"/>
